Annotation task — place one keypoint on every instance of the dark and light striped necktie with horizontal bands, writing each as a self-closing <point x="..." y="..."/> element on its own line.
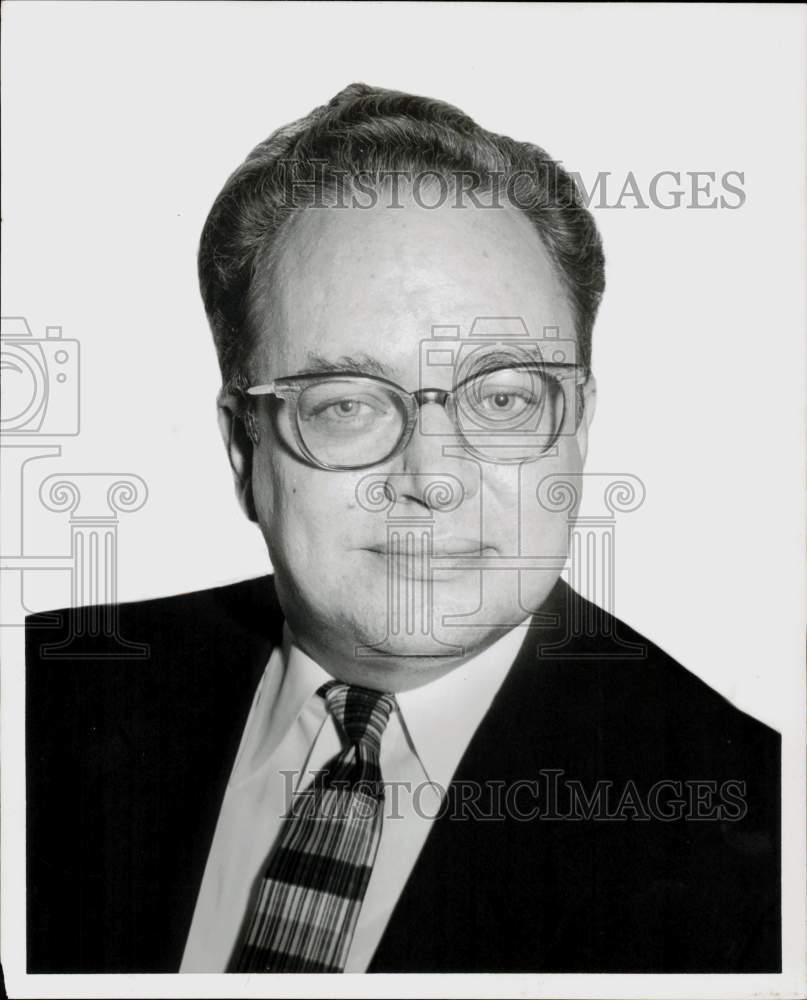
<point x="316" y="877"/>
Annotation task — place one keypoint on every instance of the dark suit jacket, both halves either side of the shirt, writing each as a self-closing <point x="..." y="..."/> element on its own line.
<point x="128" y="759"/>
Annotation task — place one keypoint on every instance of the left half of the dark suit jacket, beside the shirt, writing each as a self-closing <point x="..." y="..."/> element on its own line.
<point x="134" y="713"/>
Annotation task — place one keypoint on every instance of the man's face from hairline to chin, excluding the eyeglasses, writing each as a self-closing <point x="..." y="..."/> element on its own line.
<point x="367" y="286"/>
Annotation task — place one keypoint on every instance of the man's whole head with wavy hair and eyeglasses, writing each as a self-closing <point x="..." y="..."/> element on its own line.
<point x="344" y="244"/>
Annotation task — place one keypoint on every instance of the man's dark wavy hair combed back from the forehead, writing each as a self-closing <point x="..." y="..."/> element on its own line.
<point x="372" y="133"/>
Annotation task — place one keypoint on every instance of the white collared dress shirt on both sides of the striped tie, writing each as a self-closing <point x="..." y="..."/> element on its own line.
<point x="289" y="734"/>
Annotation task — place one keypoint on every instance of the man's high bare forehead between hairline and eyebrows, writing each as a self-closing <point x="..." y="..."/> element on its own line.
<point x="374" y="282"/>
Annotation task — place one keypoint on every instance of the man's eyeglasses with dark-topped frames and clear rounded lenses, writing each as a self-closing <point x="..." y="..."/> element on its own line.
<point x="512" y="414"/>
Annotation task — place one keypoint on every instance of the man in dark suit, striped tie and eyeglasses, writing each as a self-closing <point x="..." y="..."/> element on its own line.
<point x="413" y="748"/>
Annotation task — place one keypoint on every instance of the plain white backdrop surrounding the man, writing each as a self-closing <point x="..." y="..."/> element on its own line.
<point x="122" y="122"/>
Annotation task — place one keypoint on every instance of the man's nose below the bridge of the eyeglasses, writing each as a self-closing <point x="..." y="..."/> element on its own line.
<point x="432" y="451"/>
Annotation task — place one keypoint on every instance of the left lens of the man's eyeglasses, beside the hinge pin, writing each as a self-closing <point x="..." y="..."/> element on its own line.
<point x="350" y="423"/>
